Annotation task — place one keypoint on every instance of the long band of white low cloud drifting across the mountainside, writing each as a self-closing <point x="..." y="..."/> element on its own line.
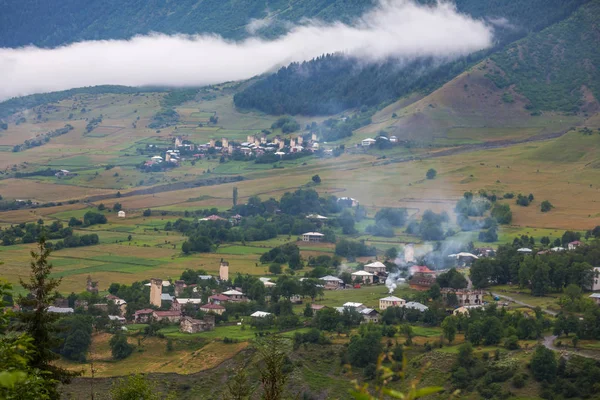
<point x="395" y="28"/>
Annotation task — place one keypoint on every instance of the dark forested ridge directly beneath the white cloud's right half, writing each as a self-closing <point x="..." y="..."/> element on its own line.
<point x="333" y="83"/>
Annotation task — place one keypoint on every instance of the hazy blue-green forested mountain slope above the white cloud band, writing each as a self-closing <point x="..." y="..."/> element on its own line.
<point x="48" y="24"/>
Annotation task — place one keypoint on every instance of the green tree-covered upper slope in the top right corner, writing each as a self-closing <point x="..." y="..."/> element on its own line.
<point x="556" y="69"/>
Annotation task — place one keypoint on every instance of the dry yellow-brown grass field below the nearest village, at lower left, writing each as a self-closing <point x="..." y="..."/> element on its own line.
<point x="152" y="356"/>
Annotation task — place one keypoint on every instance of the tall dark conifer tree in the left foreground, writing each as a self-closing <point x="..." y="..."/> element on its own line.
<point x="37" y="322"/>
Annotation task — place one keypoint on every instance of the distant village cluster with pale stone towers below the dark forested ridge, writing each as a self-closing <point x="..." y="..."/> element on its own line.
<point x="254" y="144"/>
